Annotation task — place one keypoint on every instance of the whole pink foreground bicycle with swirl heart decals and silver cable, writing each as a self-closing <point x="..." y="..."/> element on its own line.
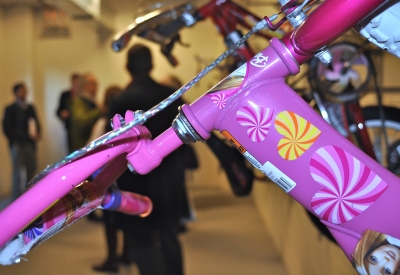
<point x="353" y="195"/>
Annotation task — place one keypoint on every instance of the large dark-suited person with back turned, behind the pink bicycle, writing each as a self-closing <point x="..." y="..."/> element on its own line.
<point x="154" y="239"/>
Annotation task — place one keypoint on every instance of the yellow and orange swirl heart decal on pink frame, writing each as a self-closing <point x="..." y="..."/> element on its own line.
<point x="298" y="135"/>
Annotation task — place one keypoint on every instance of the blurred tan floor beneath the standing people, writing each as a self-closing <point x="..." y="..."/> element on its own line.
<point x="226" y="238"/>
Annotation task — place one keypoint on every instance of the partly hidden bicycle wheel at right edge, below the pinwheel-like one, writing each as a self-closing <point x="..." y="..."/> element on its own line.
<point x="387" y="155"/>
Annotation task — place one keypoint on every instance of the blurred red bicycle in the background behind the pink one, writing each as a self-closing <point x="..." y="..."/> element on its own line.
<point x="335" y="88"/>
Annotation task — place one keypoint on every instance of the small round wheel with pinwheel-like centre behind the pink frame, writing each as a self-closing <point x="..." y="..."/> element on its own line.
<point x="334" y="81"/>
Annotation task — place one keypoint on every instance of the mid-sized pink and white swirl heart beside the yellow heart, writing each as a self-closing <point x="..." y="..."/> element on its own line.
<point x="257" y="120"/>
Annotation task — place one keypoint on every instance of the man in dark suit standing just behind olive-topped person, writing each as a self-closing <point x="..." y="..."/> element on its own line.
<point x="64" y="105"/>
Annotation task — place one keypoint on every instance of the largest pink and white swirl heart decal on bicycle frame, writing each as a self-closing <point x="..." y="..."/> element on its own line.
<point x="350" y="186"/>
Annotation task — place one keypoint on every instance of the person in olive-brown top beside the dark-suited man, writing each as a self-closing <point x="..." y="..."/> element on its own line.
<point x="84" y="112"/>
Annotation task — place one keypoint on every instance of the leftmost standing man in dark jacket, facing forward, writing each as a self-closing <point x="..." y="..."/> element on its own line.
<point x="22" y="129"/>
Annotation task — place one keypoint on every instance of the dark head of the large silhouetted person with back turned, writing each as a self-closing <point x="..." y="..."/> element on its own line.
<point x="139" y="60"/>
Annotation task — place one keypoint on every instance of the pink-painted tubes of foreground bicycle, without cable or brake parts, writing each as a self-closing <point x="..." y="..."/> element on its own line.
<point x="274" y="129"/>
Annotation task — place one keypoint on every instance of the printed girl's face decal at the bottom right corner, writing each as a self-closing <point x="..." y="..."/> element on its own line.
<point x="375" y="255"/>
